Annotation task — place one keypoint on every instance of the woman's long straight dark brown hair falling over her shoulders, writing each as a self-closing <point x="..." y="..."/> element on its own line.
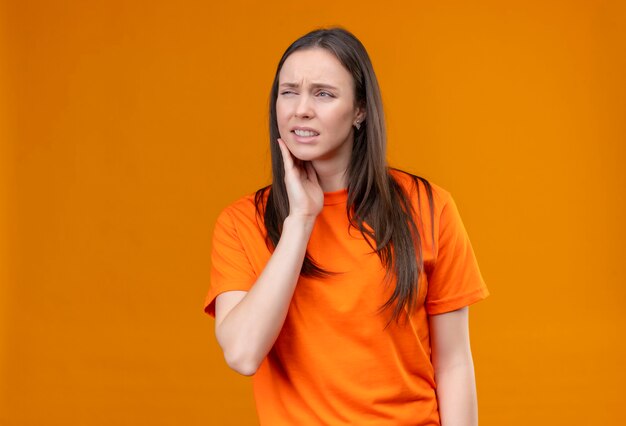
<point x="374" y="196"/>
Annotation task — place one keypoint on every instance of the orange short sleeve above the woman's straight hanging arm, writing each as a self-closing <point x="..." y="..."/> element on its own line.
<point x="455" y="280"/>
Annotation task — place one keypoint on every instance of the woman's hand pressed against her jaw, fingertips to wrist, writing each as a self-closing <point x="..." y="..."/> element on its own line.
<point x="306" y="197"/>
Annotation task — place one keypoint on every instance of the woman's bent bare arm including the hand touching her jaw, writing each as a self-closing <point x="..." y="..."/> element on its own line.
<point x="248" y="323"/>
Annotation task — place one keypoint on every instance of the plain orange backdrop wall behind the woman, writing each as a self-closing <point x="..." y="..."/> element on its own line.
<point x="127" y="126"/>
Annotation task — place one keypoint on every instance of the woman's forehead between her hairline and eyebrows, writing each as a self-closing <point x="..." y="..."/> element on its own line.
<point x="314" y="65"/>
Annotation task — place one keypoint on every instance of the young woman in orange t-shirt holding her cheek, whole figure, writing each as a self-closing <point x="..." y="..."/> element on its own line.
<point x="343" y="287"/>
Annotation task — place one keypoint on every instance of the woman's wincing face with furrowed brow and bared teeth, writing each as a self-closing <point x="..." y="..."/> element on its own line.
<point x="315" y="107"/>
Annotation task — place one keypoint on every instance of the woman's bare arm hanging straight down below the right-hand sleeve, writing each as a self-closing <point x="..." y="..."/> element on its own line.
<point x="454" y="368"/>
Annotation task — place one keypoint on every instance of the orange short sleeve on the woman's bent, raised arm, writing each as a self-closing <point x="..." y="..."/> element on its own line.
<point x="230" y="266"/>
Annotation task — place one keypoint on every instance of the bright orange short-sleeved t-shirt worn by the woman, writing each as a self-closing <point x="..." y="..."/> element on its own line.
<point x="332" y="363"/>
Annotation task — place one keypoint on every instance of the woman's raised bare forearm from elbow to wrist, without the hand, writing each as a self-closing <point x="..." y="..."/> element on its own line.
<point x="250" y="329"/>
